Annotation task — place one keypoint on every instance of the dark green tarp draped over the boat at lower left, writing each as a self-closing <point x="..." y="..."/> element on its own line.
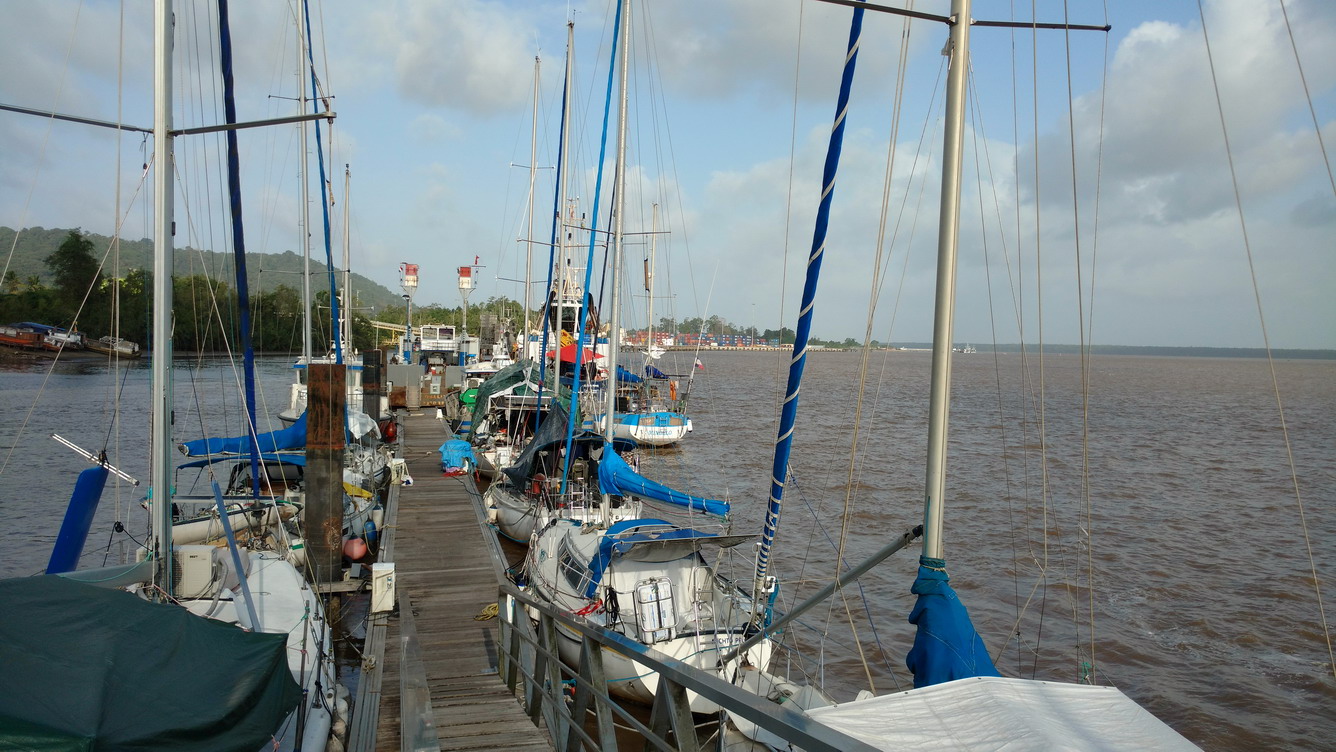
<point x="90" y="669"/>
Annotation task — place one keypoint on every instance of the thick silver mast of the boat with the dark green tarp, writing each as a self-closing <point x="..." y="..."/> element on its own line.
<point x="162" y="393"/>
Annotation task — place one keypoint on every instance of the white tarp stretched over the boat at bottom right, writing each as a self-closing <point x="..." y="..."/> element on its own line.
<point x="1005" y="715"/>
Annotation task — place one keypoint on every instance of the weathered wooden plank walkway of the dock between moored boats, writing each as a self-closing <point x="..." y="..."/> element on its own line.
<point x="439" y="671"/>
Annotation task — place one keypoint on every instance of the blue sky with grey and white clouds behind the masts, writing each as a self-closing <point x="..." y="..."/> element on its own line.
<point x="730" y="109"/>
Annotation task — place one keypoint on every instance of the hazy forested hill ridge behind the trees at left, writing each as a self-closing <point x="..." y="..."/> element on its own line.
<point x="265" y="272"/>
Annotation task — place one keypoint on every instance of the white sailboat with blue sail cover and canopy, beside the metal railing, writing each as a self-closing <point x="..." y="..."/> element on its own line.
<point x="643" y="578"/>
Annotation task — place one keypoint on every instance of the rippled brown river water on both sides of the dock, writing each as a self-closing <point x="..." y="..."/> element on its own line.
<point x="1164" y="554"/>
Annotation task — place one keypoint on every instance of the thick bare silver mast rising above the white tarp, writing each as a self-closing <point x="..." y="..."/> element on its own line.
<point x="944" y="319"/>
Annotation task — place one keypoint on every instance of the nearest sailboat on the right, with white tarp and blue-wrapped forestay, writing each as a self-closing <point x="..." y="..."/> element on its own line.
<point x="960" y="699"/>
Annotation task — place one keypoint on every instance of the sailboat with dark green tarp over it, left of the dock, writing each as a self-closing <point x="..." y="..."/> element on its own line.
<point x="209" y="650"/>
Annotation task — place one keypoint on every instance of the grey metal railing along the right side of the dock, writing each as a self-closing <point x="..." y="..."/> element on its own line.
<point x="531" y="666"/>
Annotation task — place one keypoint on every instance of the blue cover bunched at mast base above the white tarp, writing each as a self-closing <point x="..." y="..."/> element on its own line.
<point x="947" y="647"/>
